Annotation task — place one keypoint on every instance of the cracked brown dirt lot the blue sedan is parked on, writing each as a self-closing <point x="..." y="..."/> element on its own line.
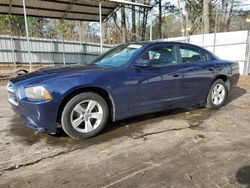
<point x="193" y="147"/>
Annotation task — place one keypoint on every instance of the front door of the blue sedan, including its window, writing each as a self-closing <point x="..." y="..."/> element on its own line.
<point x="156" y="86"/>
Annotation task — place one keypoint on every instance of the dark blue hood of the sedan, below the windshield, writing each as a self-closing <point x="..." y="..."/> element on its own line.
<point x="49" y="72"/>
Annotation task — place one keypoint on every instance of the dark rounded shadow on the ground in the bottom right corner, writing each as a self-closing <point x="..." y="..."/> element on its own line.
<point x="243" y="176"/>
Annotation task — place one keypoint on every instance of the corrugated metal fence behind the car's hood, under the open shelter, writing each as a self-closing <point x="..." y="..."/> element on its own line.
<point x="46" y="51"/>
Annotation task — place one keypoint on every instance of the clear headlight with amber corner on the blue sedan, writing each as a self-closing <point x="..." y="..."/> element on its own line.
<point x="37" y="93"/>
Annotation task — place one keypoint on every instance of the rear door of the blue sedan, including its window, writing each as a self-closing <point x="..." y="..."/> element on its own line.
<point x="197" y="72"/>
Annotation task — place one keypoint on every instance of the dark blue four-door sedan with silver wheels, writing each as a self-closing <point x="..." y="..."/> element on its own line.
<point x="129" y="80"/>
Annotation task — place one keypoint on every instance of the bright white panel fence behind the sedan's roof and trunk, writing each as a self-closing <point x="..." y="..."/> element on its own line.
<point x="233" y="46"/>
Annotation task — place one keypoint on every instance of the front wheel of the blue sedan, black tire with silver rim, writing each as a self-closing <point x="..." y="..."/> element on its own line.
<point x="85" y="115"/>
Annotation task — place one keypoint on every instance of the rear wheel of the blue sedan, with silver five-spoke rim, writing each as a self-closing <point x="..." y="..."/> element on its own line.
<point x="217" y="94"/>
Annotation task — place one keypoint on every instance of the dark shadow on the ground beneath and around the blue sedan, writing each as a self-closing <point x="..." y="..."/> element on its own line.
<point x="193" y="115"/>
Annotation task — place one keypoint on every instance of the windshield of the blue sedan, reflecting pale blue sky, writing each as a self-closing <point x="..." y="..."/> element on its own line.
<point x="117" y="56"/>
